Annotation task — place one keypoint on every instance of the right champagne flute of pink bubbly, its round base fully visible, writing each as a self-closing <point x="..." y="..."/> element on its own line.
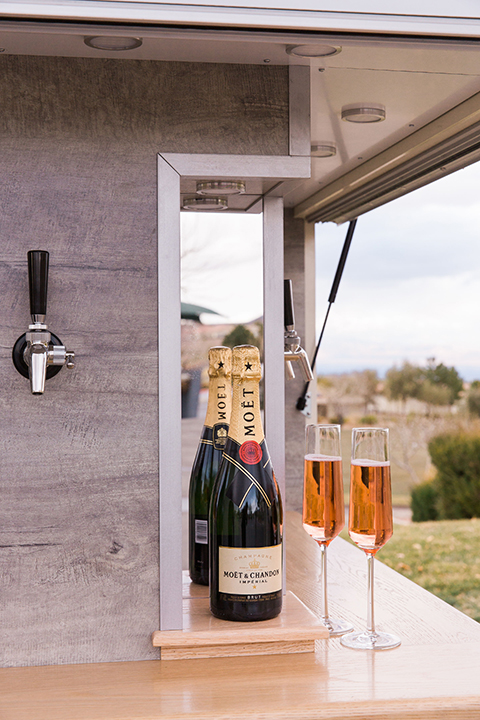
<point x="370" y="520"/>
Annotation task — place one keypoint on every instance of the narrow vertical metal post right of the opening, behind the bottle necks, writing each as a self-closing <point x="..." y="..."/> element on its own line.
<point x="273" y="330"/>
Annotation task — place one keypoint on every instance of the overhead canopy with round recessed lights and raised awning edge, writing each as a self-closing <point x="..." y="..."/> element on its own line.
<point x="417" y="60"/>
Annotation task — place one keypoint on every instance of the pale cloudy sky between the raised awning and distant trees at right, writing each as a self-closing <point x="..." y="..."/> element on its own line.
<point x="411" y="285"/>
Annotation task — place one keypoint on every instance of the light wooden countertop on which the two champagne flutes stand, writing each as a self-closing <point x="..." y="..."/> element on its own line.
<point x="435" y="673"/>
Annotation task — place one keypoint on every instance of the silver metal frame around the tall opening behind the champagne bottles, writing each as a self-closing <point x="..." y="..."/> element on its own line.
<point x="171" y="168"/>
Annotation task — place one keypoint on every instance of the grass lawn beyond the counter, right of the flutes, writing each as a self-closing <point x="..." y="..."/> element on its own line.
<point x="442" y="556"/>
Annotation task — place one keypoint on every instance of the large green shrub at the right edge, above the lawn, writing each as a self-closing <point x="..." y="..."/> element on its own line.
<point x="457" y="460"/>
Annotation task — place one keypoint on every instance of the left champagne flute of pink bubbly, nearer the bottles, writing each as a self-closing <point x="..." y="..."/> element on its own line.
<point x="323" y="506"/>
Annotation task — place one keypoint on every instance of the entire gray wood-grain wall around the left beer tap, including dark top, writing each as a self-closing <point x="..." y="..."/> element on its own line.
<point x="79" y="471"/>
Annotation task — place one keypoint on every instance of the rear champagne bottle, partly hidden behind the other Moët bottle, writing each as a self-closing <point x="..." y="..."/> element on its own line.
<point x="207" y="459"/>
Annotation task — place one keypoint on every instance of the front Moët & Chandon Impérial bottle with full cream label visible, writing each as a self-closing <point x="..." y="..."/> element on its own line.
<point x="245" y="510"/>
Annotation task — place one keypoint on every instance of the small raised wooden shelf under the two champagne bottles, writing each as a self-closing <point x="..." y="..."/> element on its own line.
<point x="293" y="631"/>
